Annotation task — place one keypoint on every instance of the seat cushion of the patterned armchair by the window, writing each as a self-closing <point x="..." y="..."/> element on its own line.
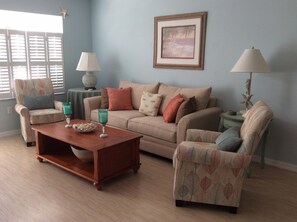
<point x="41" y="116"/>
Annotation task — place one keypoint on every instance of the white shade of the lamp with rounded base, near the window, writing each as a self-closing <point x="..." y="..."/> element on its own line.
<point x="88" y="62"/>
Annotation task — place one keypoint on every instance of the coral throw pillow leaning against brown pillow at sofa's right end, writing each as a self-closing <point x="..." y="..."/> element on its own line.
<point x="170" y="111"/>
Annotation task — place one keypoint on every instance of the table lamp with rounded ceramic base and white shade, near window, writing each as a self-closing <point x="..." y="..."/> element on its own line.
<point x="88" y="62"/>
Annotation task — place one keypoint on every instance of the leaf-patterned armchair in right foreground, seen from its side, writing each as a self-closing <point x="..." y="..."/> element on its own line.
<point x="207" y="175"/>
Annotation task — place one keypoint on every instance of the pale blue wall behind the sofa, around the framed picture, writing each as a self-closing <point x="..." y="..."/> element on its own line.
<point x="123" y="36"/>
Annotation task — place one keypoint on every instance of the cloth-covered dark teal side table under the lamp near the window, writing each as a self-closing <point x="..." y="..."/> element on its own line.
<point x="76" y="97"/>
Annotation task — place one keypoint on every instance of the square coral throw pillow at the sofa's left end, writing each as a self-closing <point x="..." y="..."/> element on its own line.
<point x="119" y="99"/>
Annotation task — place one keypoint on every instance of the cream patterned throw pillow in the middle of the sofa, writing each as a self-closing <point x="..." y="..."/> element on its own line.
<point x="150" y="103"/>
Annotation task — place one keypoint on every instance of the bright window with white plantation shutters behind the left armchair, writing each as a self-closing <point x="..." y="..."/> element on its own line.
<point x="30" y="51"/>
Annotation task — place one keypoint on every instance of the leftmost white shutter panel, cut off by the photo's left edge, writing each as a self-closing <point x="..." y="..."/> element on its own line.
<point x="4" y="70"/>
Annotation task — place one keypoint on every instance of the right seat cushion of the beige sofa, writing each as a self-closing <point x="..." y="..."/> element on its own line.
<point x="154" y="126"/>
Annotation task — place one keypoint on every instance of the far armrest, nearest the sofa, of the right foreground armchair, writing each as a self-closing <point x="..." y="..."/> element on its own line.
<point x="198" y="135"/>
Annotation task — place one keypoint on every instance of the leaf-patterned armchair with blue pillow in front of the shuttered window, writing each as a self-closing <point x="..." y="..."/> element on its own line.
<point x="36" y="105"/>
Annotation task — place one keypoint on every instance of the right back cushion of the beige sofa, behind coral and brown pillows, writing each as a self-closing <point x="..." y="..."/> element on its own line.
<point x="168" y="92"/>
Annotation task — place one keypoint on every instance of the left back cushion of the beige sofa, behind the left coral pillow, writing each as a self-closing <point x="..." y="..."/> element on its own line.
<point x="138" y="89"/>
